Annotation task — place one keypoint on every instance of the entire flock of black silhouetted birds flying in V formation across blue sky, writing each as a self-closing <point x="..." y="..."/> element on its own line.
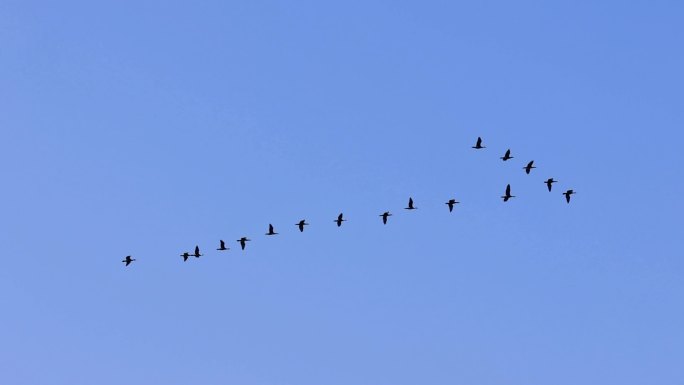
<point x="340" y="218"/>
